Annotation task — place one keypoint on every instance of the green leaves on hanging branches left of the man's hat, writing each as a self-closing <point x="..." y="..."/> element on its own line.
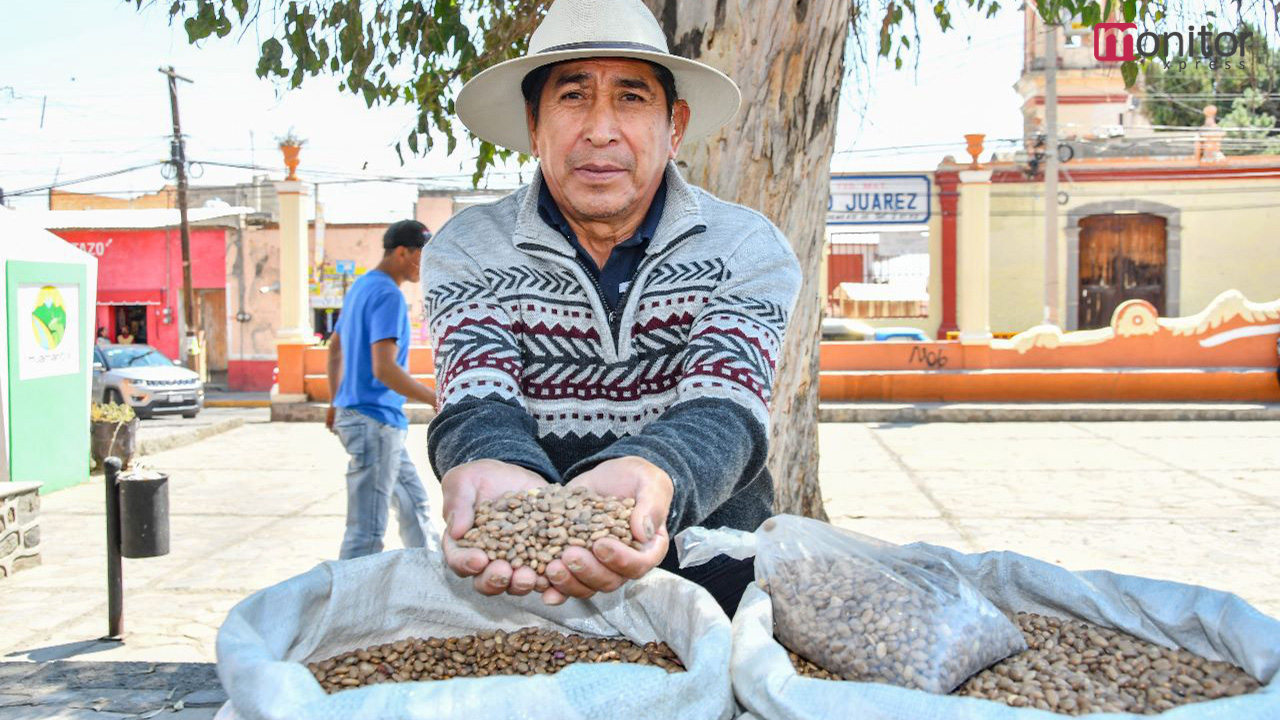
<point x="386" y="52"/>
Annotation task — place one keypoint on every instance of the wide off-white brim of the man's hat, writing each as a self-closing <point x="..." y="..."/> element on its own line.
<point x="492" y="107"/>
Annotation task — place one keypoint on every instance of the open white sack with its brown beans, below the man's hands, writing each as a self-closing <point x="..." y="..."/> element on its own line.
<point x="397" y="636"/>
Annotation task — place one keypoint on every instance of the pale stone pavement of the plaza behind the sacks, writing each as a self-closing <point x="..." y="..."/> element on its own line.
<point x="1186" y="502"/>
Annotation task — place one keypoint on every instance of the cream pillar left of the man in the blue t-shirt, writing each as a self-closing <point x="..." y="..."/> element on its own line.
<point x="295" y="302"/>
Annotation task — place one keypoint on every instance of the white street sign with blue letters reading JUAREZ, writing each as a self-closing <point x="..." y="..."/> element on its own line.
<point x="876" y="200"/>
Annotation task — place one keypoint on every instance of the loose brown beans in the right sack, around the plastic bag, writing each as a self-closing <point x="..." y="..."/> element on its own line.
<point x="1076" y="668"/>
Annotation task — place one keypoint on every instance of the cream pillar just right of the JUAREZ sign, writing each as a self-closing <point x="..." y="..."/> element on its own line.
<point x="973" y="258"/>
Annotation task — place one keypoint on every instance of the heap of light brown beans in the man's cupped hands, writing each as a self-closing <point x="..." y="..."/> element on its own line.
<point x="534" y="527"/>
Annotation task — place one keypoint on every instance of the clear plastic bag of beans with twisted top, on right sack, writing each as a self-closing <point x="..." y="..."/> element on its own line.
<point x="865" y="609"/>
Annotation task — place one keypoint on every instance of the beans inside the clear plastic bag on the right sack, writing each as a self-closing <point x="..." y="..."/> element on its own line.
<point x="912" y="625"/>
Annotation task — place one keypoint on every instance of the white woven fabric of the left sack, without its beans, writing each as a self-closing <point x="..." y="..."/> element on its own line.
<point x="341" y="607"/>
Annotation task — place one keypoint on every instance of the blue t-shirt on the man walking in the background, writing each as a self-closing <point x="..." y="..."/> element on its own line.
<point x="373" y="311"/>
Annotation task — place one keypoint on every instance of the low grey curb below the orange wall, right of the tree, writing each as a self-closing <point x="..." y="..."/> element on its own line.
<point x="1043" y="413"/>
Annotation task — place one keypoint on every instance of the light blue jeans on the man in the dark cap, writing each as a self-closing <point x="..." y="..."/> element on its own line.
<point x="381" y="473"/>
